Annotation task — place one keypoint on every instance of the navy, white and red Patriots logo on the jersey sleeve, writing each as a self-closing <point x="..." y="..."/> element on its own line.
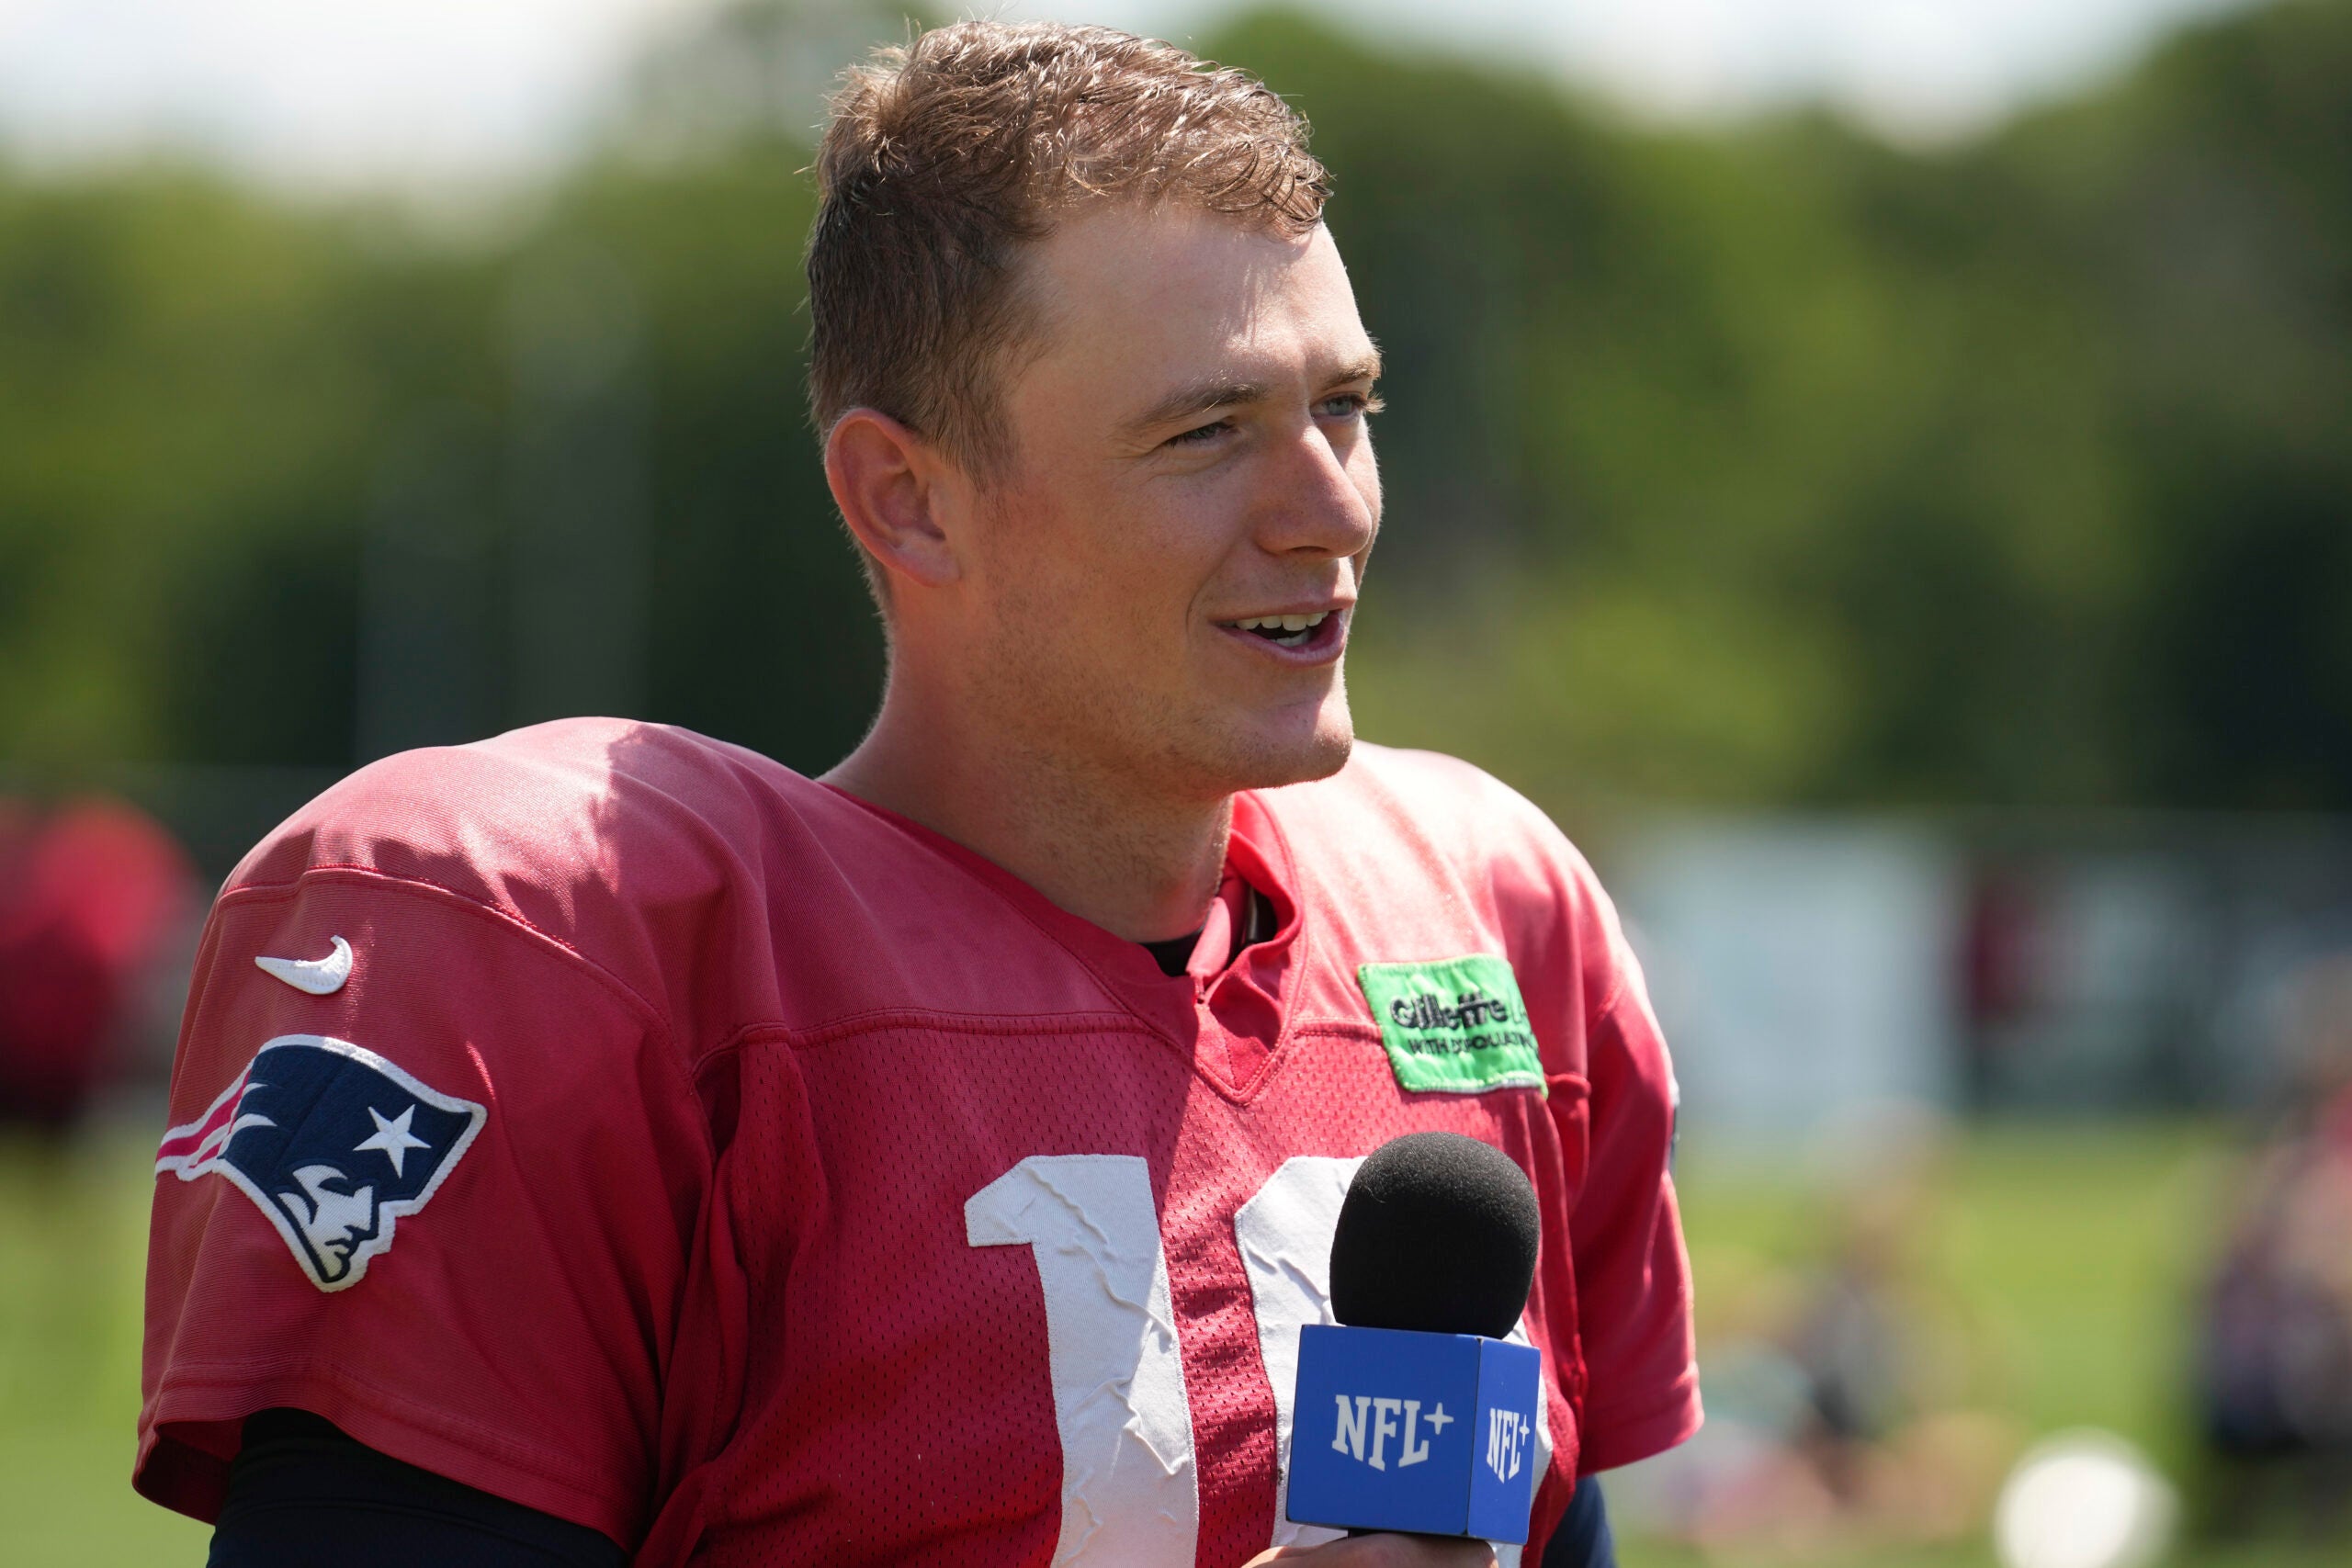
<point x="333" y="1144"/>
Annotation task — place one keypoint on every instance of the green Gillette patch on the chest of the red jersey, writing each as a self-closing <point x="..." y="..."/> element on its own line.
<point x="1455" y="1026"/>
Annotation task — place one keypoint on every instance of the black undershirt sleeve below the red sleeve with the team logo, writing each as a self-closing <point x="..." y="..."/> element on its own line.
<point x="307" y="1496"/>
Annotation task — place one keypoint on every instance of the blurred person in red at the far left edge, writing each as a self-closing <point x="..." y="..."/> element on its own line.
<point x="93" y="897"/>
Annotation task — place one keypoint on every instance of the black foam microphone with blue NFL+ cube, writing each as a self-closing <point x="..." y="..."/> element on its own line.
<point x="1415" y="1414"/>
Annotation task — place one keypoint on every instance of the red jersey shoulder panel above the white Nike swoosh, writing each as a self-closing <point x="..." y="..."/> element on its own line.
<point x="714" y="887"/>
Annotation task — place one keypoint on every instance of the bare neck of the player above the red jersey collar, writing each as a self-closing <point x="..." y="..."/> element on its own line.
<point x="1097" y="845"/>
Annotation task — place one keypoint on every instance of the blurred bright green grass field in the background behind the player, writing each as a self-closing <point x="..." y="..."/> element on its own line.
<point x="2071" y="1247"/>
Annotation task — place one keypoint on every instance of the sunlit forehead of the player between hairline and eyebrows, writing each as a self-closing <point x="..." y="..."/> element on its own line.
<point x="1140" y="297"/>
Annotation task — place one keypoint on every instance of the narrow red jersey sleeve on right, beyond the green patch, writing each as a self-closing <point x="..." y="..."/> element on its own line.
<point x="1633" y="1278"/>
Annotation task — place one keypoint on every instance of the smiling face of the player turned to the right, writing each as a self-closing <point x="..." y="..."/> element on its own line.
<point x="1165" y="577"/>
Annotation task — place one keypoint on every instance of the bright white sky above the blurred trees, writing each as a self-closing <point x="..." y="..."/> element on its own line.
<point x="335" y="93"/>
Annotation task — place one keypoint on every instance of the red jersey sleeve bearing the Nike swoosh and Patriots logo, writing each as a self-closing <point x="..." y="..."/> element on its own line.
<point x="429" y="1174"/>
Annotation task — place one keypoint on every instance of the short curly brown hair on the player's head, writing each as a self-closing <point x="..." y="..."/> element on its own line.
<point x="944" y="156"/>
